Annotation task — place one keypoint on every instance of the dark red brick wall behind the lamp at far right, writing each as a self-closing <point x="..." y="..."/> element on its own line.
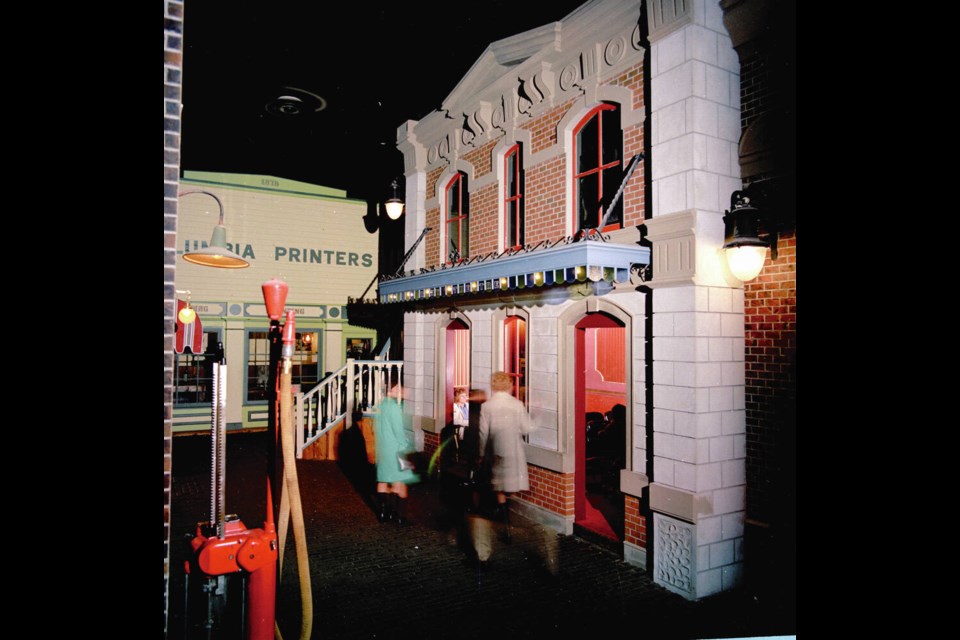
<point x="770" y="300"/>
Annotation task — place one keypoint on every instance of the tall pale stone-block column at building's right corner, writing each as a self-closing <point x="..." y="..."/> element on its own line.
<point x="699" y="445"/>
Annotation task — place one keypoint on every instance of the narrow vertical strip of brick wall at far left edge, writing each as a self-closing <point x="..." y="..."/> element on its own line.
<point x="172" y="47"/>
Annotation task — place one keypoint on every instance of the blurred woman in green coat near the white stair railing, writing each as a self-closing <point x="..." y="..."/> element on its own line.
<point x="392" y="442"/>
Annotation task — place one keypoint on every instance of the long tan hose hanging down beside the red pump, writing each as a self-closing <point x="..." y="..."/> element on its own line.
<point x="290" y="503"/>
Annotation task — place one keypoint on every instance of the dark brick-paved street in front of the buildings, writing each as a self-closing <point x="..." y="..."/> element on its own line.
<point x="373" y="580"/>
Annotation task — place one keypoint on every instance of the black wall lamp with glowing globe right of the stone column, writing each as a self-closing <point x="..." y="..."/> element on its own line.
<point x="746" y="250"/>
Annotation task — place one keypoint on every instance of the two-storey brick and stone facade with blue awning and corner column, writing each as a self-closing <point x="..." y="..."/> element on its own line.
<point x="664" y="77"/>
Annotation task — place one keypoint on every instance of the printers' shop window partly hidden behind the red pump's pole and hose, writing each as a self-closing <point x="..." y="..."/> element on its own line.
<point x="305" y="369"/>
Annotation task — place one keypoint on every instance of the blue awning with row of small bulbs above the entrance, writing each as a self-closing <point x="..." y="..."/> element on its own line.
<point x="563" y="264"/>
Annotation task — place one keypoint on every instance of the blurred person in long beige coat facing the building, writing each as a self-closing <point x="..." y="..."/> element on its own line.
<point x="503" y="420"/>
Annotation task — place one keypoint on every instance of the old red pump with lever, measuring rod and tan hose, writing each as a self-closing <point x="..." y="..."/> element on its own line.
<point x="224" y="548"/>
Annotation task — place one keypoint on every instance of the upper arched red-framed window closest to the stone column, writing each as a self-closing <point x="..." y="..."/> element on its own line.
<point x="598" y="150"/>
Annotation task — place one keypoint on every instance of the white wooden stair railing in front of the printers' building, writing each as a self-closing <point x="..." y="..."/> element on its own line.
<point x="357" y="386"/>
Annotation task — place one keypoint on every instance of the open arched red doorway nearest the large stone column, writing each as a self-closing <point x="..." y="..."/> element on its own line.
<point x="600" y="364"/>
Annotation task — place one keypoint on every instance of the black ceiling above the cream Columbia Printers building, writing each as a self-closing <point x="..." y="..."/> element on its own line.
<point x="353" y="73"/>
